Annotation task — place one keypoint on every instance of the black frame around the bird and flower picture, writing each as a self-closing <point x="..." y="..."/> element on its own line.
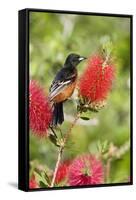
<point x="23" y="122"/>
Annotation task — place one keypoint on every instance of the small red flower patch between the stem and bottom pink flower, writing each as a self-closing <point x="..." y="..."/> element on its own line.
<point x="62" y="172"/>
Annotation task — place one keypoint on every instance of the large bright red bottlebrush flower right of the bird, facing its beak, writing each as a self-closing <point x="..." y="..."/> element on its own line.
<point x="96" y="81"/>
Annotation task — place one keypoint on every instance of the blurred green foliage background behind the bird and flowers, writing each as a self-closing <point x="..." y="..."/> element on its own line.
<point x="52" y="38"/>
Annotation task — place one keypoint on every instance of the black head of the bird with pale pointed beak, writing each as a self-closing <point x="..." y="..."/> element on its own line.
<point x="73" y="60"/>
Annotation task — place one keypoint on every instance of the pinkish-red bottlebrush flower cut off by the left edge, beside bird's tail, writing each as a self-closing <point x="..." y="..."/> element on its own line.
<point x="40" y="113"/>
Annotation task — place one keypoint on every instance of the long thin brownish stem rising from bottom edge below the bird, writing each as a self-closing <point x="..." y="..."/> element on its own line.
<point x="61" y="149"/>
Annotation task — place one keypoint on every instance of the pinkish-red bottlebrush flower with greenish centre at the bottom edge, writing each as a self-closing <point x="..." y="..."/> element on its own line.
<point x="85" y="170"/>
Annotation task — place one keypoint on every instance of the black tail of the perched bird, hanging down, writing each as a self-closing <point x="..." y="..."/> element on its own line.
<point x="58" y="115"/>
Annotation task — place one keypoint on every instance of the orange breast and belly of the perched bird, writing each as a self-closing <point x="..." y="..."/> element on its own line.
<point x="66" y="93"/>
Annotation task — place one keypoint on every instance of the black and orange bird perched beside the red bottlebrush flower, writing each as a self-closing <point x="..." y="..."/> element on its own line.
<point x="63" y="86"/>
